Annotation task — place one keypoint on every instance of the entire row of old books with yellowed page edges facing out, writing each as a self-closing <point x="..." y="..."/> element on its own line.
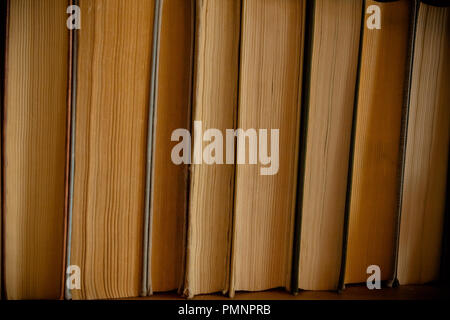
<point x="88" y="122"/>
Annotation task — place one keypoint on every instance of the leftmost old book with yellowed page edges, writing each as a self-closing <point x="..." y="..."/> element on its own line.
<point x="35" y="110"/>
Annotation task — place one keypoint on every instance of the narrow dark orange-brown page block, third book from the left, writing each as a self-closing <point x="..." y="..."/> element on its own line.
<point x="172" y="112"/>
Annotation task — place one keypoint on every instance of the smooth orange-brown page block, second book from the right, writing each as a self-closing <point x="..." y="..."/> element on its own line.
<point x="375" y="184"/>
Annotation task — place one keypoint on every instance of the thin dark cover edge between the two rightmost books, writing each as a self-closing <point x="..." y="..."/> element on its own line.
<point x="404" y="132"/>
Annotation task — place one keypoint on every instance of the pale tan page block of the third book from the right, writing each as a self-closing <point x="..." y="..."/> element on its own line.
<point x="332" y="82"/>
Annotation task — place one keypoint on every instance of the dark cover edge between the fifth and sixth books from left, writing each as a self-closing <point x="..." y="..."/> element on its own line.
<point x="306" y="82"/>
